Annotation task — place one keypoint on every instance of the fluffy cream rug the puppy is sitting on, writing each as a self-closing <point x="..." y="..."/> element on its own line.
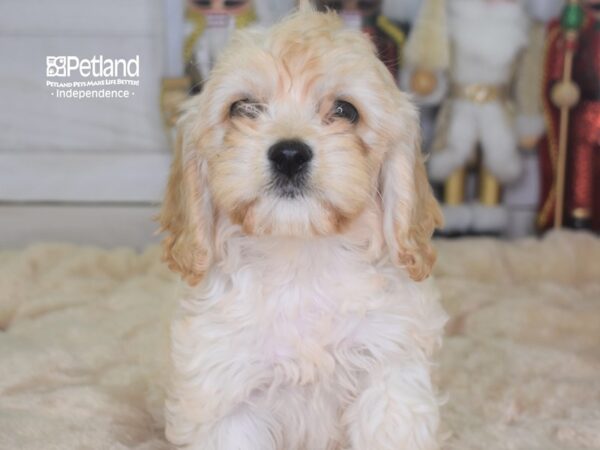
<point x="83" y="328"/>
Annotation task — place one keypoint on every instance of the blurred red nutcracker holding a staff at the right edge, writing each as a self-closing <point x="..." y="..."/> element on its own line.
<point x="570" y="152"/>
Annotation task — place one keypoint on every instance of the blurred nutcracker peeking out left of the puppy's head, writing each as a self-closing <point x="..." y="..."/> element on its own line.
<point x="211" y="24"/>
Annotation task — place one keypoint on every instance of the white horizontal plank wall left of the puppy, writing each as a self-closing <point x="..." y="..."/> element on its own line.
<point x="73" y="169"/>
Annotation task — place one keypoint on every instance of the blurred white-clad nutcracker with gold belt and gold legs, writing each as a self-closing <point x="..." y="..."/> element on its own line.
<point x="485" y="38"/>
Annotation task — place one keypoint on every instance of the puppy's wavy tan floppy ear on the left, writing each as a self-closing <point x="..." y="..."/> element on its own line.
<point x="186" y="212"/>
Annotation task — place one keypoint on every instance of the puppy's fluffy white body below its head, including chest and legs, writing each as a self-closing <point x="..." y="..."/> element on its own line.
<point x="275" y="350"/>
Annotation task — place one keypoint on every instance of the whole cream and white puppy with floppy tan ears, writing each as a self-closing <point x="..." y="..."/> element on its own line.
<point x="299" y="212"/>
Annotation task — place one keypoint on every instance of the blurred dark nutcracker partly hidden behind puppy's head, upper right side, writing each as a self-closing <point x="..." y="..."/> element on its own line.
<point x="366" y="15"/>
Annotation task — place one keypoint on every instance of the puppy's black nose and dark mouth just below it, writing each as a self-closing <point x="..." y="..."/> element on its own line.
<point x="290" y="161"/>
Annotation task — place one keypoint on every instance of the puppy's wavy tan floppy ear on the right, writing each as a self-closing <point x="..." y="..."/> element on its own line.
<point x="410" y="211"/>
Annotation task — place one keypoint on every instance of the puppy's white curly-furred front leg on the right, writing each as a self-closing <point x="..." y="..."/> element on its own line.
<point x="397" y="411"/>
